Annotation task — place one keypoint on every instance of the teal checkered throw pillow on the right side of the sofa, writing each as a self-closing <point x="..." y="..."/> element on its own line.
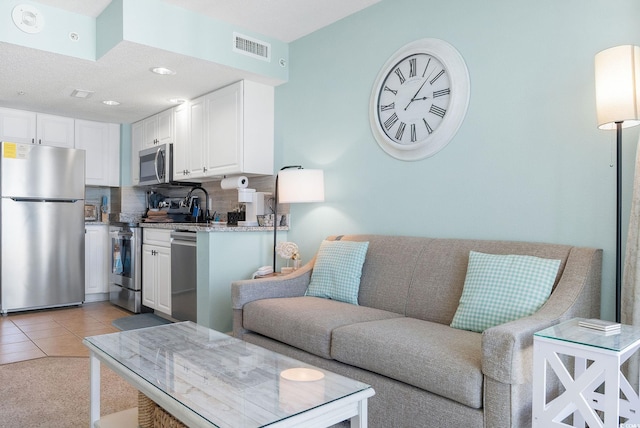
<point x="503" y="288"/>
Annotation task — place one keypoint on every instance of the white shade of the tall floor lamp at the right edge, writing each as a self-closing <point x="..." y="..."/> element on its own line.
<point x="618" y="86"/>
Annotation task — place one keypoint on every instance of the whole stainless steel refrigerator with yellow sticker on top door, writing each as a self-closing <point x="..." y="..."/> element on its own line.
<point x="41" y="226"/>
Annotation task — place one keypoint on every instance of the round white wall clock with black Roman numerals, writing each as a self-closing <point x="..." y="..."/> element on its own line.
<point x="419" y="99"/>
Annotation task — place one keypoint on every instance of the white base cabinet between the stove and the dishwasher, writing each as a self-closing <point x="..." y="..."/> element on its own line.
<point x="156" y="269"/>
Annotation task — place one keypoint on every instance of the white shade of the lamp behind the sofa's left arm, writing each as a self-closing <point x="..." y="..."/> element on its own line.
<point x="300" y="185"/>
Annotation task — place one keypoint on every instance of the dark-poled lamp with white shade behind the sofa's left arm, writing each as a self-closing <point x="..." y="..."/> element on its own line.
<point x="295" y="184"/>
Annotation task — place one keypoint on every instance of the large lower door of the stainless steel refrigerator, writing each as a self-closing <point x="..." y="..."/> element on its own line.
<point x="42" y="254"/>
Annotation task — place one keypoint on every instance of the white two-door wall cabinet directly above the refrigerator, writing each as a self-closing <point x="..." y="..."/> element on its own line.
<point x="20" y="126"/>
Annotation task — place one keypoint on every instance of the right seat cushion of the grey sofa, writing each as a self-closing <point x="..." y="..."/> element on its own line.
<point x="430" y="356"/>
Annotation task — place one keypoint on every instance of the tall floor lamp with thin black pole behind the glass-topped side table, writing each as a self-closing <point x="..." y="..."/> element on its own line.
<point x="618" y="106"/>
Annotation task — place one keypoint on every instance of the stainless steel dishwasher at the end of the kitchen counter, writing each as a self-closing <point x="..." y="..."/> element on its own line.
<point x="184" y="294"/>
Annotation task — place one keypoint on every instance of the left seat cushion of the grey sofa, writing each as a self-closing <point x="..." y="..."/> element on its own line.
<point x="306" y="322"/>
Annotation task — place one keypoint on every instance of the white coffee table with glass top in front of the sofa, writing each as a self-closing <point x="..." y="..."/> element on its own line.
<point x="206" y="378"/>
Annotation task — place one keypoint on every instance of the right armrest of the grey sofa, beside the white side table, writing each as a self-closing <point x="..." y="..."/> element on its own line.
<point x="507" y="349"/>
